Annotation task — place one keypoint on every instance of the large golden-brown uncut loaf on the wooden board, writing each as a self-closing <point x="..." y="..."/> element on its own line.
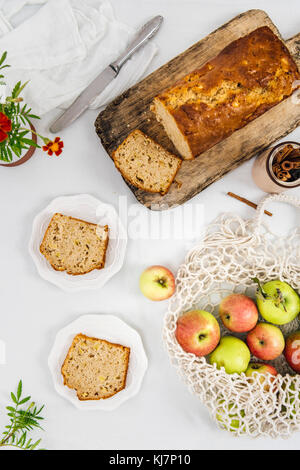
<point x="247" y="78"/>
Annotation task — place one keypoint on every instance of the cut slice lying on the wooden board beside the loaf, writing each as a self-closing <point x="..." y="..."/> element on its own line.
<point x="145" y="164"/>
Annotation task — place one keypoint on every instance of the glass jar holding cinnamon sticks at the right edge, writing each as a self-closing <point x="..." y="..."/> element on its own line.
<point x="263" y="174"/>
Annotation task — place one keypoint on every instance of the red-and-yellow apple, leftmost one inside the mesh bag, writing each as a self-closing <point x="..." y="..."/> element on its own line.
<point x="198" y="332"/>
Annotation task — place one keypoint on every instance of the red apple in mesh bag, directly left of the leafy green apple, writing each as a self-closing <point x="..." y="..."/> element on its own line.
<point x="238" y="313"/>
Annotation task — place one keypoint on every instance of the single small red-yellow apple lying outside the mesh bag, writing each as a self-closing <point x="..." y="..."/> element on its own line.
<point x="157" y="283"/>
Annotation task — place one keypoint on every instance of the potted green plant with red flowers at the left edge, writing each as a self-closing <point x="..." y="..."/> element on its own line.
<point x="18" y="137"/>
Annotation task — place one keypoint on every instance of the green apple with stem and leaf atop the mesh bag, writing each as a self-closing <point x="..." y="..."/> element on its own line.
<point x="277" y="302"/>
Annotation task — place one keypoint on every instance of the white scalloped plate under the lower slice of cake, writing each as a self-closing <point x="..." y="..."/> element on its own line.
<point x="114" y="330"/>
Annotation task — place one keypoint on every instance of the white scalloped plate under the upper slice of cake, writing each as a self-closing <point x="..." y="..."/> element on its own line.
<point x="90" y="209"/>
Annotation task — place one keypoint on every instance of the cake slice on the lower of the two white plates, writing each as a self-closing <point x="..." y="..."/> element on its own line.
<point x="95" y="368"/>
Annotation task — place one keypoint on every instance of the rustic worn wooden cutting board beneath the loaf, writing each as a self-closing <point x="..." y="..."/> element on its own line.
<point x="131" y="111"/>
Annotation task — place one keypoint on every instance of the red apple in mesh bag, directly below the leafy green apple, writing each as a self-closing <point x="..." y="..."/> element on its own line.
<point x="266" y="341"/>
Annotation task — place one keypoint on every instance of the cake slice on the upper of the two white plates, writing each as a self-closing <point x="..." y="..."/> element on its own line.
<point x="73" y="245"/>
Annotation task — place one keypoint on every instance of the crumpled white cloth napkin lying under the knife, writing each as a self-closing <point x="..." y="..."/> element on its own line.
<point x="63" y="47"/>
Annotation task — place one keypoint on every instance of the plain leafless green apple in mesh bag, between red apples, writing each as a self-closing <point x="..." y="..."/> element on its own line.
<point x="232" y="354"/>
